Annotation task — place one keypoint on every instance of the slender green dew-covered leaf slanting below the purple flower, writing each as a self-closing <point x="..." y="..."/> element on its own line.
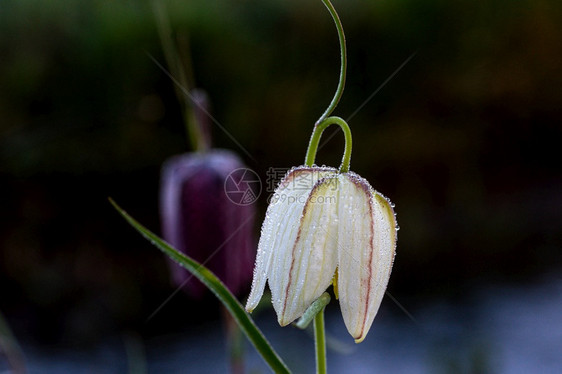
<point x="236" y="309"/>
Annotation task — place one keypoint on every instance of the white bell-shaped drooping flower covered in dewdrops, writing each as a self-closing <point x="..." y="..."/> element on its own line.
<point x="323" y="225"/>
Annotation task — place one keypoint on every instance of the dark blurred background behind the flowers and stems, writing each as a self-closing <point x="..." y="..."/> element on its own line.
<point x="464" y="139"/>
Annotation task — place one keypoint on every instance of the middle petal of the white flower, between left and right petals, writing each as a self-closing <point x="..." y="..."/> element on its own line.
<point x="314" y="254"/>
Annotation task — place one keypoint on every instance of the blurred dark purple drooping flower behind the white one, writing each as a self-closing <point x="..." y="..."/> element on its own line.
<point x="200" y="220"/>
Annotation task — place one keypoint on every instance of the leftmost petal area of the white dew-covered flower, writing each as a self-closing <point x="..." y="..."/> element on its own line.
<point x="278" y="234"/>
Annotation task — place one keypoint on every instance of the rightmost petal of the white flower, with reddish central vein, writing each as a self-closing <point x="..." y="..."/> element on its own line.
<point x="367" y="242"/>
